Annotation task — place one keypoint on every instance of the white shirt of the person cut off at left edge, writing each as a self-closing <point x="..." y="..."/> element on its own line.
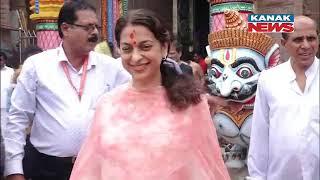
<point x="6" y="76"/>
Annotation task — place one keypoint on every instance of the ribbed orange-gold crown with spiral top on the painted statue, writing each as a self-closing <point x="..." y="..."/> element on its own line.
<point x="236" y="34"/>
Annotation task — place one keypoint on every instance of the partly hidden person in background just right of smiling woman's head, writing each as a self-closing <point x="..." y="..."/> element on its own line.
<point x="175" y="52"/>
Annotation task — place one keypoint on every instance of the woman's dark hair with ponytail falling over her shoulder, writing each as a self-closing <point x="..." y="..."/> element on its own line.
<point x="182" y="90"/>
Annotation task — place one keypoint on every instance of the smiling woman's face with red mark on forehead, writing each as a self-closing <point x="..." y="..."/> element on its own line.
<point x="141" y="53"/>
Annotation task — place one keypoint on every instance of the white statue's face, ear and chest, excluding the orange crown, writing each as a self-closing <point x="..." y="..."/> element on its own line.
<point x="233" y="74"/>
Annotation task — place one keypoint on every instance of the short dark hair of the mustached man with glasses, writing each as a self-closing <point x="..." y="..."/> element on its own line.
<point x="68" y="11"/>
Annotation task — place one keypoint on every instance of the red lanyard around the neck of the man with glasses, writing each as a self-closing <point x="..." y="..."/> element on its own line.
<point x="83" y="76"/>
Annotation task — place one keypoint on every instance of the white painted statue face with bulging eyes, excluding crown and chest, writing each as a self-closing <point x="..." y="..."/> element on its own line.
<point x="233" y="72"/>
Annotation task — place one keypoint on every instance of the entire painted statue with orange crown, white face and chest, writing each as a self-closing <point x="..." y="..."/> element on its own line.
<point x="235" y="60"/>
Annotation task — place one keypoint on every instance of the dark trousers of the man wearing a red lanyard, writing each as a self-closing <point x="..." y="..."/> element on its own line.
<point x="39" y="166"/>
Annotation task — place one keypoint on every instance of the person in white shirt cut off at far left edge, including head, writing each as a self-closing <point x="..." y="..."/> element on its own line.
<point x="6" y="75"/>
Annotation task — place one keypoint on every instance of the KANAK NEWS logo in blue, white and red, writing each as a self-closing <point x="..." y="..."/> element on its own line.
<point x="269" y="23"/>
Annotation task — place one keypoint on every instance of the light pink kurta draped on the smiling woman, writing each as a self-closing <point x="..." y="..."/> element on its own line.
<point x="136" y="136"/>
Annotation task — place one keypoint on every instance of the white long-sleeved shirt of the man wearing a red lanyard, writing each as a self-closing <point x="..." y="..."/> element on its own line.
<point x="43" y="94"/>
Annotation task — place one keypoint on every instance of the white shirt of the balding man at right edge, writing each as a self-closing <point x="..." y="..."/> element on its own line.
<point x="281" y="115"/>
